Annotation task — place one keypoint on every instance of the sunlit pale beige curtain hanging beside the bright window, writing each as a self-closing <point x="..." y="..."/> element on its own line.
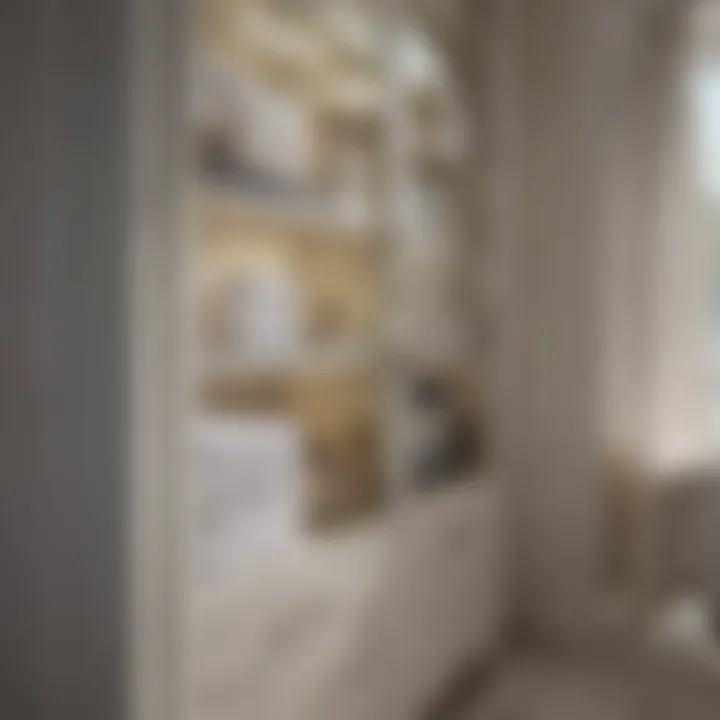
<point x="657" y="298"/>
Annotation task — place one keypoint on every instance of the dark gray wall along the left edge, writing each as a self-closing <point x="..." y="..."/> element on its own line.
<point x="63" y="214"/>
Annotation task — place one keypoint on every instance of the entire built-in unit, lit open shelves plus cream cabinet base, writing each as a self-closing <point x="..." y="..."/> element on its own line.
<point x="368" y="559"/>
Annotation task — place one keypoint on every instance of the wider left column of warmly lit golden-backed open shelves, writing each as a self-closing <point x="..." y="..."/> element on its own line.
<point x="315" y="225"/>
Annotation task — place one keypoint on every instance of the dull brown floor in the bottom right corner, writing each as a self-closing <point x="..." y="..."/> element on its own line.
<point x="673" y="675"/>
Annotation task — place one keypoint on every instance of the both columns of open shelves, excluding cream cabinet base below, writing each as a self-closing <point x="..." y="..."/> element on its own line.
<point x="357" y="217"/>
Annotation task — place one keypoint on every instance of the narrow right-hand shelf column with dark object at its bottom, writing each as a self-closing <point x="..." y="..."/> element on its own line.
<point x="433" y="310"/>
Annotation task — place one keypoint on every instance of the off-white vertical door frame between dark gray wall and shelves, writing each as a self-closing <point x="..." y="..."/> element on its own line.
<point x="159" y="361"/>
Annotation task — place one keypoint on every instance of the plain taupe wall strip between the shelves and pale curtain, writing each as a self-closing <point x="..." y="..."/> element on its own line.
<point x="549" y="386"/>
